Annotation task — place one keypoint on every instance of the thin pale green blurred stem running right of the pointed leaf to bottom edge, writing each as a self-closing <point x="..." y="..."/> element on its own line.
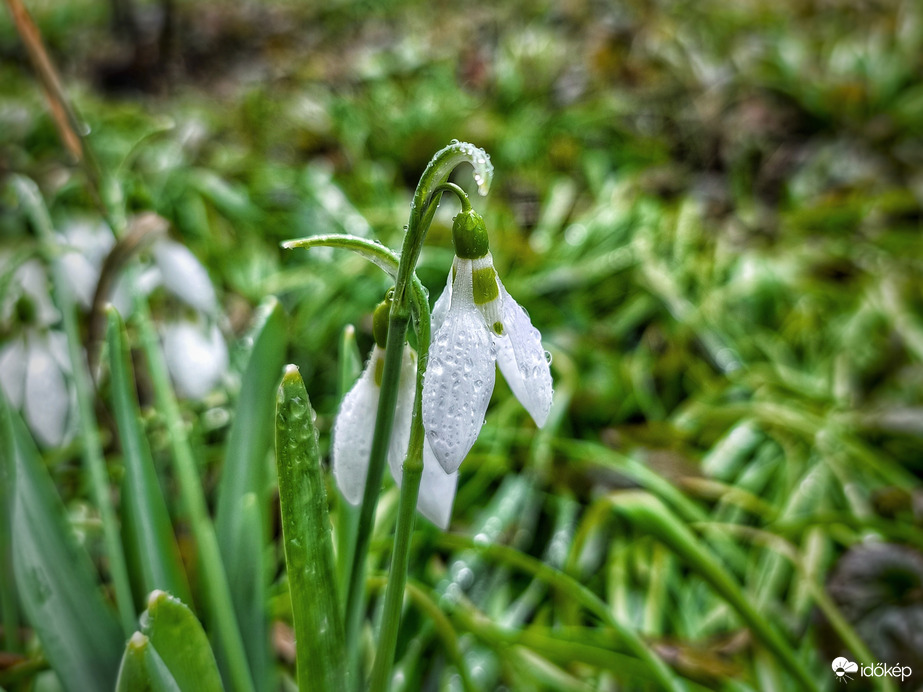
<point x="215" y="583"/>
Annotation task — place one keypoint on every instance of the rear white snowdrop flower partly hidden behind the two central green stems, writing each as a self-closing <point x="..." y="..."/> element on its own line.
<point x="355" y="424"/>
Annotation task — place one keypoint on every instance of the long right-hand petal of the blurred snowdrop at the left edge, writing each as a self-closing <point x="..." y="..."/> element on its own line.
<point x="46" y="401"/>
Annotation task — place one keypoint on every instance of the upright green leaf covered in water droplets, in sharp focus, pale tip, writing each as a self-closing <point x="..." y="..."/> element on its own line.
<point x="321" y="660"/>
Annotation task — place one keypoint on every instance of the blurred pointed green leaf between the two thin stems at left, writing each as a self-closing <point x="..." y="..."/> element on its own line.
<point x="146" y="526"/>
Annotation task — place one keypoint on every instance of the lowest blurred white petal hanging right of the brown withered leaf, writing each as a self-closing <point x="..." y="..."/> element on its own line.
<point x="197" y="357"/>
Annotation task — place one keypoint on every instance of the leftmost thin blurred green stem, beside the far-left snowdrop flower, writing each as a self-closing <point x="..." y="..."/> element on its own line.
<point x="89" y="434"/>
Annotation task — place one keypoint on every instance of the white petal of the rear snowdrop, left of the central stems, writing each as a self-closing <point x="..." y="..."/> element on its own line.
<point x="352" y="432"/>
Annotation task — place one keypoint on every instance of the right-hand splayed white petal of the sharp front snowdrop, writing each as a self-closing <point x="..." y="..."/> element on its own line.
<point x="522" y="361"/>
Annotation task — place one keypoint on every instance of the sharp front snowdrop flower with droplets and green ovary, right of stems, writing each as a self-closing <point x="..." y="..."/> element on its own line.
<point x="477" y="324"/>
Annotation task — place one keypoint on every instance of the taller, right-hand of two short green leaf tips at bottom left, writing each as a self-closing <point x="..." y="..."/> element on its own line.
<point x="179" y="639"/>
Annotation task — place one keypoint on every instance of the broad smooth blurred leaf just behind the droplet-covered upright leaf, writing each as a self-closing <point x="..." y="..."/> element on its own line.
<point x="244" y="480"/>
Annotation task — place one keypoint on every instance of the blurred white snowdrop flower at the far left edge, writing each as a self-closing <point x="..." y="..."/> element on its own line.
<point x="34" y="364"/>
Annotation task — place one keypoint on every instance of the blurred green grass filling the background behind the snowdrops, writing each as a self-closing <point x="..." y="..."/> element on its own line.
<point x="712" y="213"/>
